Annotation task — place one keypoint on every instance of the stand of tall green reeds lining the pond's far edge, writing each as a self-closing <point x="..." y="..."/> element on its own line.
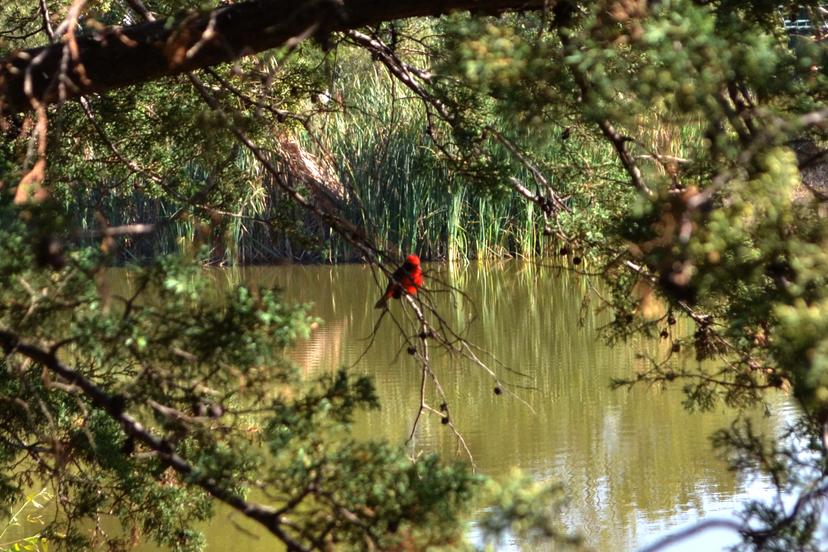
<point x="398" y="188"/>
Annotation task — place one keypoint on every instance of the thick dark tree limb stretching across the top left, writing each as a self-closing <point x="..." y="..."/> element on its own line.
<point x="116" y="57"/>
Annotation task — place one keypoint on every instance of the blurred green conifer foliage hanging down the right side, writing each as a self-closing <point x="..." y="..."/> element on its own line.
<point x="707" y="107"/>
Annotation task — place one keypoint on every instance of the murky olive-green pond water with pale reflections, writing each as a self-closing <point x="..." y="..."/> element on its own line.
<point x="635" y="463"/>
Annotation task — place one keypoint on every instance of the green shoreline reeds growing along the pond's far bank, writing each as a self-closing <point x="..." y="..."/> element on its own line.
<point x="365" y="156"/>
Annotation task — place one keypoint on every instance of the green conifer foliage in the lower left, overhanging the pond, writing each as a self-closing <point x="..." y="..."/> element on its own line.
<point x="202" y="370"/>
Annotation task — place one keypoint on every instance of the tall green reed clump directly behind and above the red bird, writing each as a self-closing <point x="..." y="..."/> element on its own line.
<point x="405" y="192"/>
